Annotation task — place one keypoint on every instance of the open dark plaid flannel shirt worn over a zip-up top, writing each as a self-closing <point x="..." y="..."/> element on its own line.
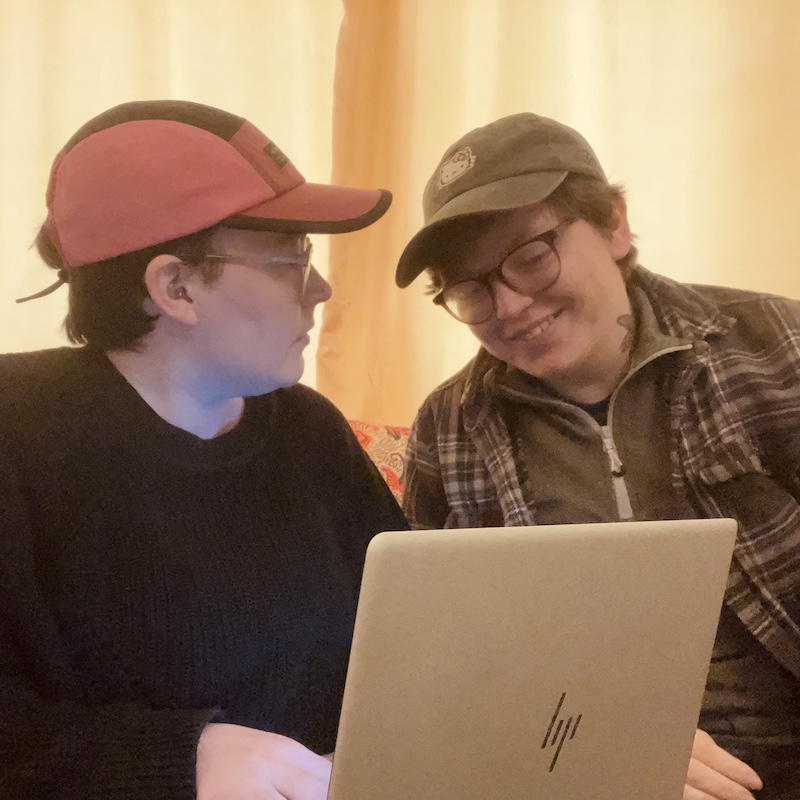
<point x="735" y="411"/>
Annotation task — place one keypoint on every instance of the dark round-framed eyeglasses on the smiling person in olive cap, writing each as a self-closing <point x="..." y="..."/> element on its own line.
<point x="529" y="268"/>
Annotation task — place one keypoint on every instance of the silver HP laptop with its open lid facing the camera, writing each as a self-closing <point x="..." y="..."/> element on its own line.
<point x="559" y="662"/>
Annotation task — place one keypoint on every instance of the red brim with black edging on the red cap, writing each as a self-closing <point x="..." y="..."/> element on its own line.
<point x="315" y="208"/>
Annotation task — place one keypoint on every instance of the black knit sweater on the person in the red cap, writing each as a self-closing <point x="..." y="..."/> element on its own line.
<point x="151" y="581"/>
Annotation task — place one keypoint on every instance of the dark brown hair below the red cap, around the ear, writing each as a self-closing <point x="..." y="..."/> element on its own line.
<point x="106" y="298"/>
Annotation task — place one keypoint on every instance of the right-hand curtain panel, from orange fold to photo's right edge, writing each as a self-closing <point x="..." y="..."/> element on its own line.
<point x="693" y="104"/>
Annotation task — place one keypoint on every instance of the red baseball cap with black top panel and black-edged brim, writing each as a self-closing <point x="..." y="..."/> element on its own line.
<point x="150" y="171"/>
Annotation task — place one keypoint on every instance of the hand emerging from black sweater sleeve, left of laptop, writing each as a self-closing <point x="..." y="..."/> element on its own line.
<point x="238" y="763"/>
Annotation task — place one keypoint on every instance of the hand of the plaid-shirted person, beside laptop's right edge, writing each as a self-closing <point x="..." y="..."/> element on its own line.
<point x="714" y="774"/>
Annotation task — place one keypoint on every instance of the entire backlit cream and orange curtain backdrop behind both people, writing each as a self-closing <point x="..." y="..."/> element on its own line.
<point x="692" y="104"/>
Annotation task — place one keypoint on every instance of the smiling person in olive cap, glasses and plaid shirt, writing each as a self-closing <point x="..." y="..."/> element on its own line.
<point x="602" y="392"/>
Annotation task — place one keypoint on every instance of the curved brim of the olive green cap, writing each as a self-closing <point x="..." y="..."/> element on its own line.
<point x="513" y="192"/>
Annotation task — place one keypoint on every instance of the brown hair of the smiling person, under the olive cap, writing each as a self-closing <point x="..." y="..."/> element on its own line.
<point x="593" y="200"/>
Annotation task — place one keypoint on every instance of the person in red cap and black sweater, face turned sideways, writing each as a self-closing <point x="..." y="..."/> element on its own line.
<point x="182" y="525"/>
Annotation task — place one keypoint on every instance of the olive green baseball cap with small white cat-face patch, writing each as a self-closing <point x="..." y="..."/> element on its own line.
<point x="511" y="162"/>
